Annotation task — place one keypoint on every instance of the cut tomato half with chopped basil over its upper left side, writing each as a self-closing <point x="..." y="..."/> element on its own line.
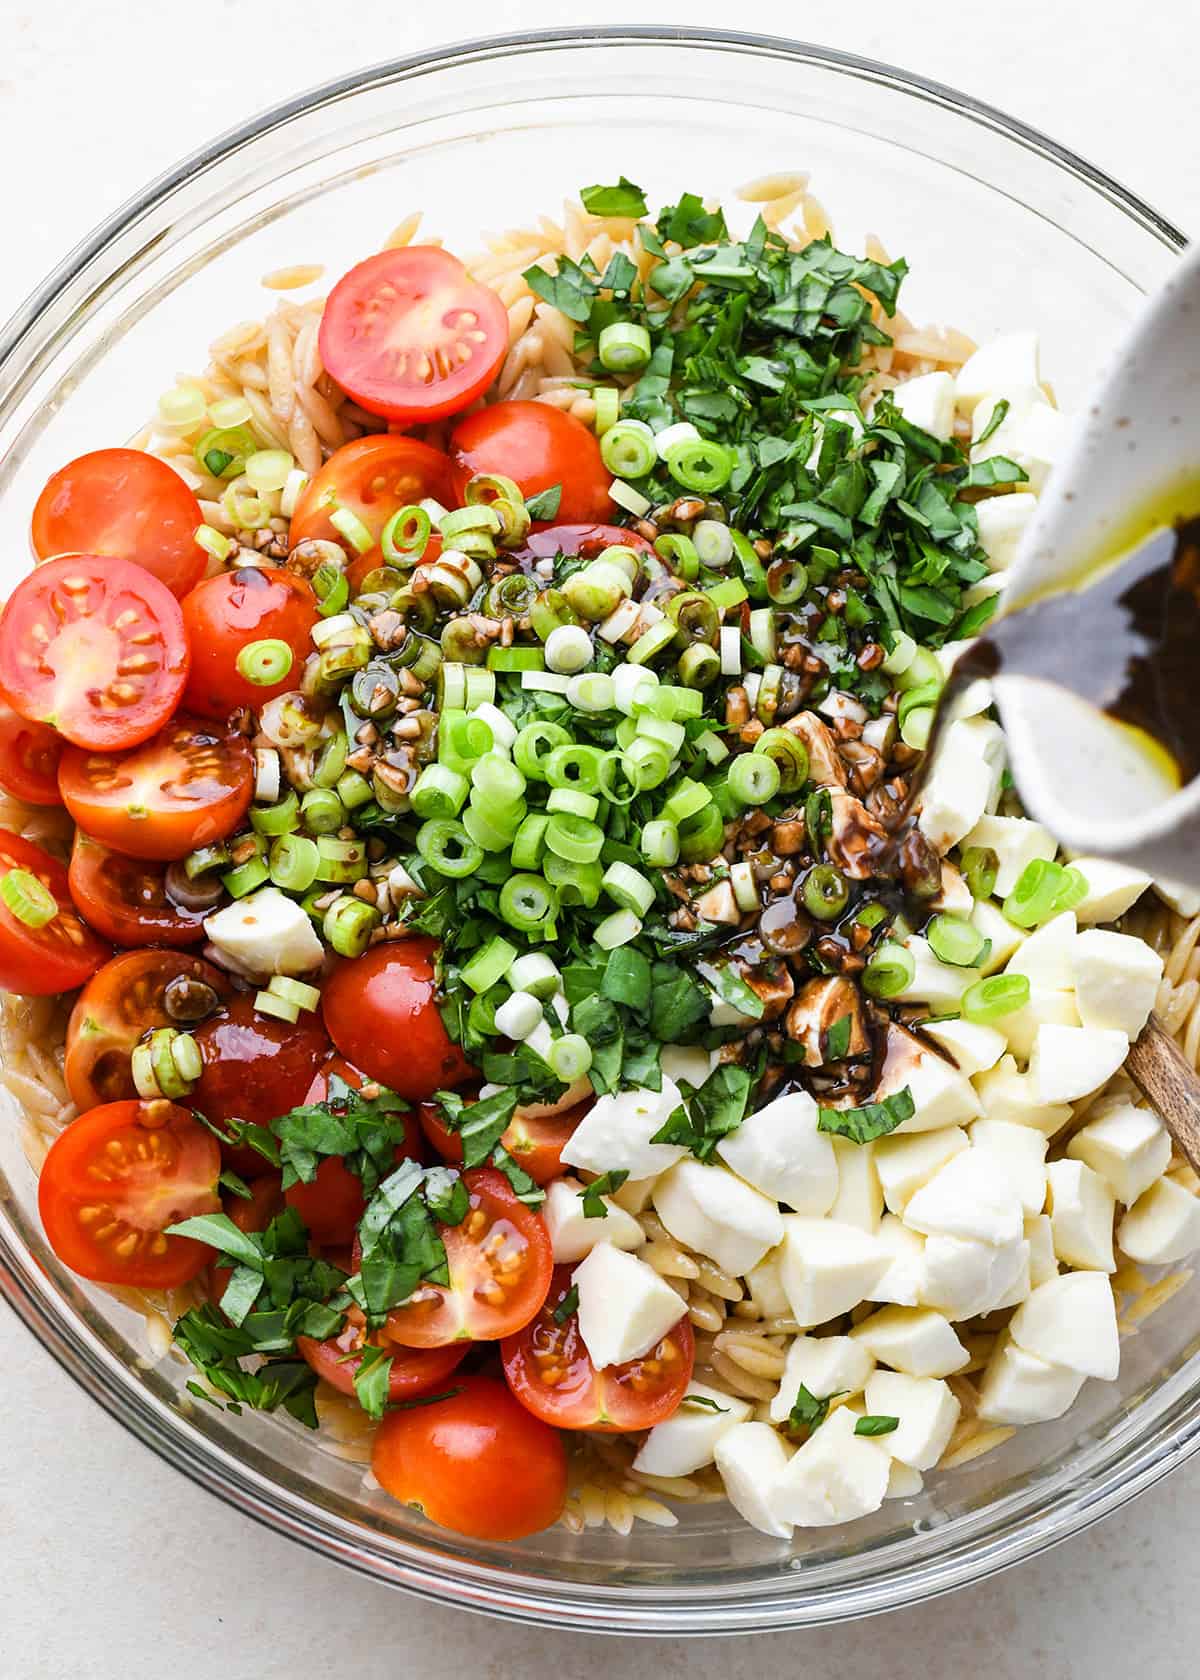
<point x="500" y="1273"/>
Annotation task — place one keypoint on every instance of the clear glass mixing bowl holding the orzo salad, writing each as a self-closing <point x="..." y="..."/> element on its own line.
<point x="1001" y="228"/>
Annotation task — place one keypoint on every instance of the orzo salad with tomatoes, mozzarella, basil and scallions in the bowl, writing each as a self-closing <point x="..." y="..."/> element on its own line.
<point x="532" y="987"/>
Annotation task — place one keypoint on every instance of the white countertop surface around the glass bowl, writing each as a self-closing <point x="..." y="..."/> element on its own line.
<point x="110" y="1563"/>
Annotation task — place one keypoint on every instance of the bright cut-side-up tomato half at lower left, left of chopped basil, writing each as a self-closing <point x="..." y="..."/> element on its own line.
<point x="112" y="1185"/>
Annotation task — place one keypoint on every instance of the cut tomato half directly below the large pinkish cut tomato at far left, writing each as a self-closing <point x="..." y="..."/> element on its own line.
<point x="184" y="789"/>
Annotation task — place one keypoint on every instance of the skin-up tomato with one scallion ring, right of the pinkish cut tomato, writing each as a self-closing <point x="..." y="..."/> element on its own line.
<point x="229" y="612"/>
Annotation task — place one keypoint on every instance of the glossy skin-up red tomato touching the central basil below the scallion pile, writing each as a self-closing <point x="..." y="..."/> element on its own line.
<point x="382" y="1014"/>
